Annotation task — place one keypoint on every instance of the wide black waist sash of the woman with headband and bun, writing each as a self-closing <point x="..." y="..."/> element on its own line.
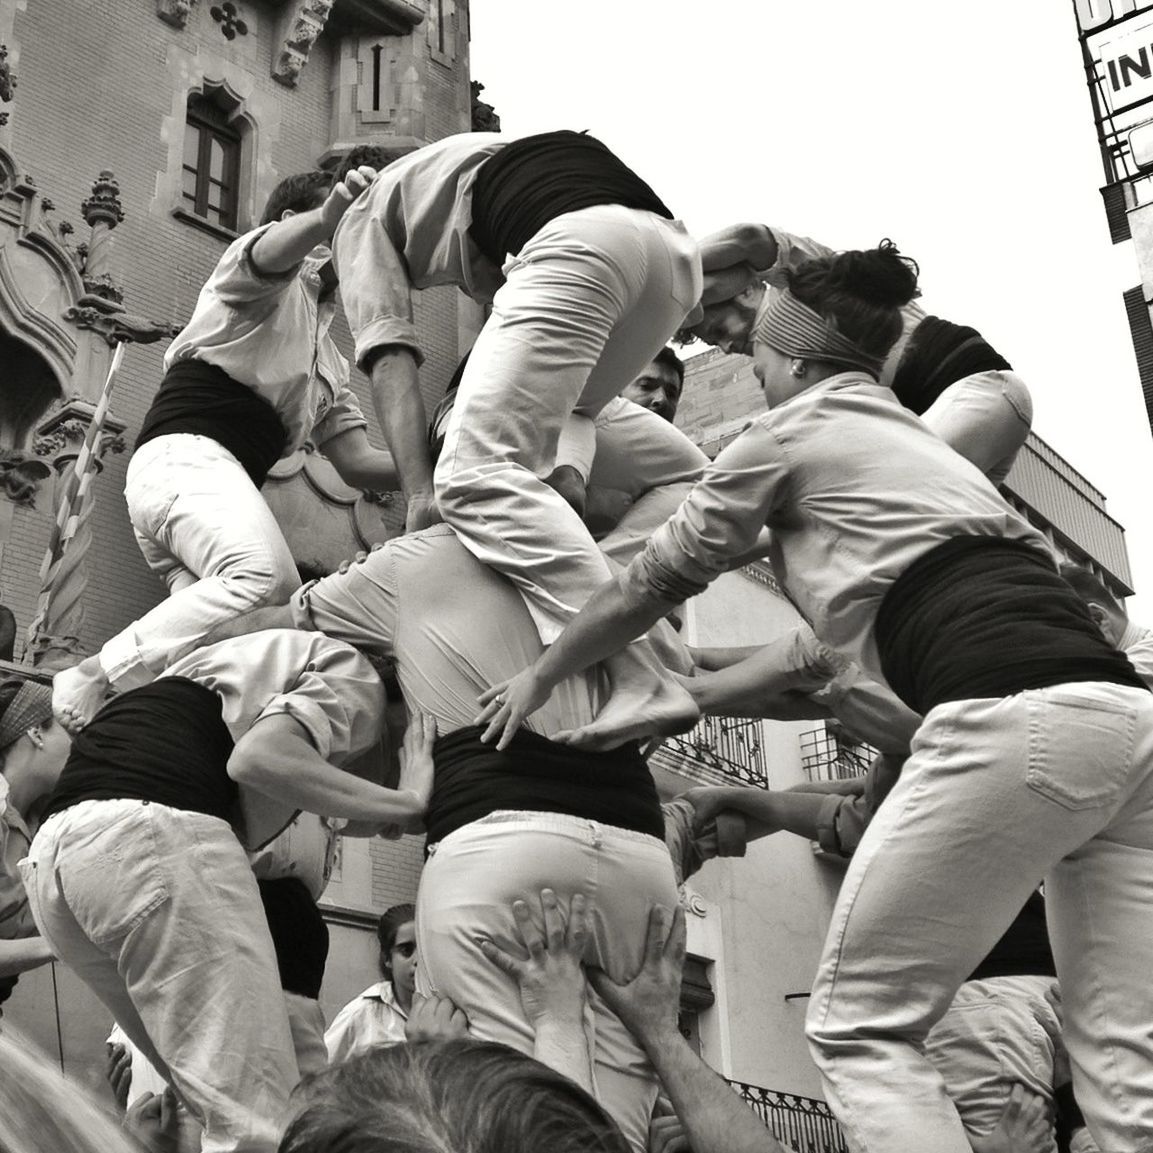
<point x="979" y="617"/>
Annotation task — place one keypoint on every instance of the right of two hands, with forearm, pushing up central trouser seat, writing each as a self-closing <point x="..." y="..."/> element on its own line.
<point x="715" y="1119"/>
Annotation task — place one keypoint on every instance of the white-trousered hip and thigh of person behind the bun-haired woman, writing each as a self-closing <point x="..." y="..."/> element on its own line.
<point x="986" y="418"/>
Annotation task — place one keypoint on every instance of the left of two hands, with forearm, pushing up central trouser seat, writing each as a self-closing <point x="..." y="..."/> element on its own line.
<point x="552" y="983"/>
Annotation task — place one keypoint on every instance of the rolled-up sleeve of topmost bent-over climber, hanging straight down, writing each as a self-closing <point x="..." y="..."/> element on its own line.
<point x="375" y="288"/>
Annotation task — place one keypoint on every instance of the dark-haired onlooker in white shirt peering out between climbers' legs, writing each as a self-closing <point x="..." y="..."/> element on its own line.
<point x="380" y="1015"/>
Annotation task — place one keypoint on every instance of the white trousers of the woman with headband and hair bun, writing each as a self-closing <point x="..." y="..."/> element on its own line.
<point x="998" y="795"/>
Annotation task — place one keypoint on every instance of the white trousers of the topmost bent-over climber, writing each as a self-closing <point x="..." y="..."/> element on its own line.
<point x="585" y="307"/>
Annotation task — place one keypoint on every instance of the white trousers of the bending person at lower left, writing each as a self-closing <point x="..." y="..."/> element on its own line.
<point x="157" y="911"/>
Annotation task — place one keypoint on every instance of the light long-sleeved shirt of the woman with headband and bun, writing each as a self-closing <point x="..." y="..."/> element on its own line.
<point x="854" y="487"/>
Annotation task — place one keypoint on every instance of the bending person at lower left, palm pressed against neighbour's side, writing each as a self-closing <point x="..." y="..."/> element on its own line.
<point x="140" y="884"/>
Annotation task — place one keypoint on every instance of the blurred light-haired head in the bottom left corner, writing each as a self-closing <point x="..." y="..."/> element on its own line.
<point x="42" y="1112"/>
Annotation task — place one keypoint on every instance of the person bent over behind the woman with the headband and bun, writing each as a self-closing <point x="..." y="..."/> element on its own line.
<point x="945" y="373"/>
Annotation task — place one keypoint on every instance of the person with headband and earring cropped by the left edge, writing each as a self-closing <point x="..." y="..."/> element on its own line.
<point x="28" y="735"/>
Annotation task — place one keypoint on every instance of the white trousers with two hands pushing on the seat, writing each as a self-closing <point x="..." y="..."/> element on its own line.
<point x="466" y="893"/>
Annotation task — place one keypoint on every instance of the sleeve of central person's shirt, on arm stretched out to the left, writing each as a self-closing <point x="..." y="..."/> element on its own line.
<point x="358" y="607"/>
